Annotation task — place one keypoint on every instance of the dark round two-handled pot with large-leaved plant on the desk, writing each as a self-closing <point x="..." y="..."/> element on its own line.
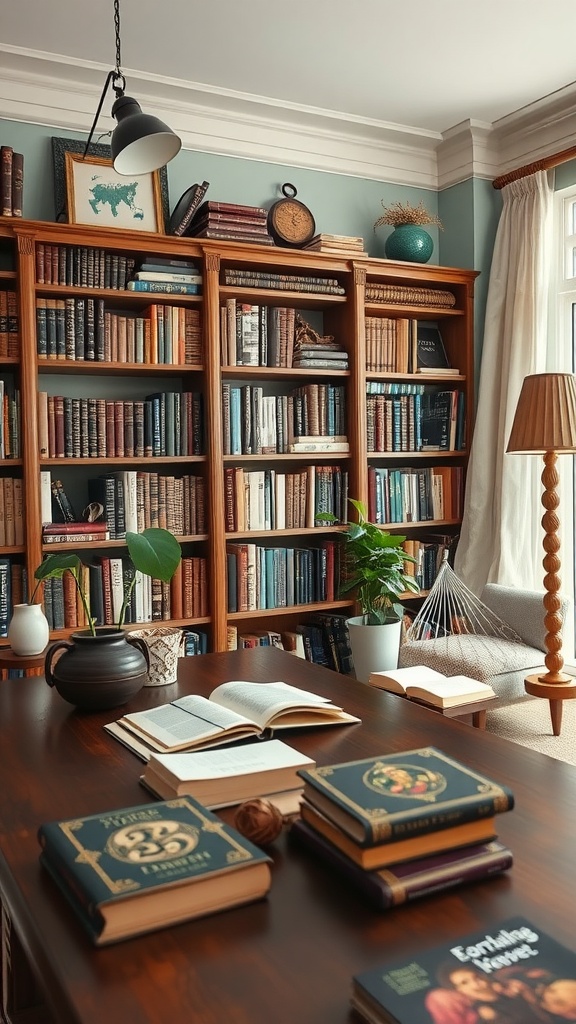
<point x="103" y="667"/>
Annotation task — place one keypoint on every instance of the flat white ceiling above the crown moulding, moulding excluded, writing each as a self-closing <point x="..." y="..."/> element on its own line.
<point x="425" y="64"/>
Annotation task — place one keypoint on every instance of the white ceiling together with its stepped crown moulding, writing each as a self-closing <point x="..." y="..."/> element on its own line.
<point x="420" y="92"/>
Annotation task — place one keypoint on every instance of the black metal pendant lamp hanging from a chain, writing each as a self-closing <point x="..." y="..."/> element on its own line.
<point x="141" y="143"/>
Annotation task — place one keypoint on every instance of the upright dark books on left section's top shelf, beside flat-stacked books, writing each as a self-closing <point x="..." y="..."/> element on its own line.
<point x="83" y="267"/>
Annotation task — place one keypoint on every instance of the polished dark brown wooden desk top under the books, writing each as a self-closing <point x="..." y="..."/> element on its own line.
<point x="290" y="958"/>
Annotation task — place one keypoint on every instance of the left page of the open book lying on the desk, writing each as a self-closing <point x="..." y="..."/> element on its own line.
<point x="188" y="720"/>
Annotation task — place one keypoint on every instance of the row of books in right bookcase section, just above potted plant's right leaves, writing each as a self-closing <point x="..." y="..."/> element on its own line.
<point x="407" y="495"/>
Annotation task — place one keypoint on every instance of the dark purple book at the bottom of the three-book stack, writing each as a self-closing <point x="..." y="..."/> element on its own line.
<point x="403" y="883"/>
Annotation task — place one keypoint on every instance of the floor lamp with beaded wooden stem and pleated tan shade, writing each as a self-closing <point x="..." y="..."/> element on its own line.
<point x="545" y="424"/>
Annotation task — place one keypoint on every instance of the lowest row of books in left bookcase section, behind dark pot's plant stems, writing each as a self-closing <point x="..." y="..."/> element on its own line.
<point x="105" y="581"/>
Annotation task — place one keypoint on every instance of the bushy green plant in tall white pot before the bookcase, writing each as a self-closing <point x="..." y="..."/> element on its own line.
<point x="376" y="571"/>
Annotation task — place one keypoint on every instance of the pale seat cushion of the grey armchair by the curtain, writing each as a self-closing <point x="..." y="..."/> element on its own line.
<point x="480" y="658"/>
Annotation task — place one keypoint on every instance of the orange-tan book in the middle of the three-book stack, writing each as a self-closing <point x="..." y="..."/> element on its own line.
<point x="385" y="855"/>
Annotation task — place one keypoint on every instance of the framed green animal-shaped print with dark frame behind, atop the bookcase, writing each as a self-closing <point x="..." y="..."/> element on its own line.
<point x="91" y="192"/>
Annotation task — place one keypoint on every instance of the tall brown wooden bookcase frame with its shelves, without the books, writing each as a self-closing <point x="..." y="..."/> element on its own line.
<point x="340" y="316"/>
